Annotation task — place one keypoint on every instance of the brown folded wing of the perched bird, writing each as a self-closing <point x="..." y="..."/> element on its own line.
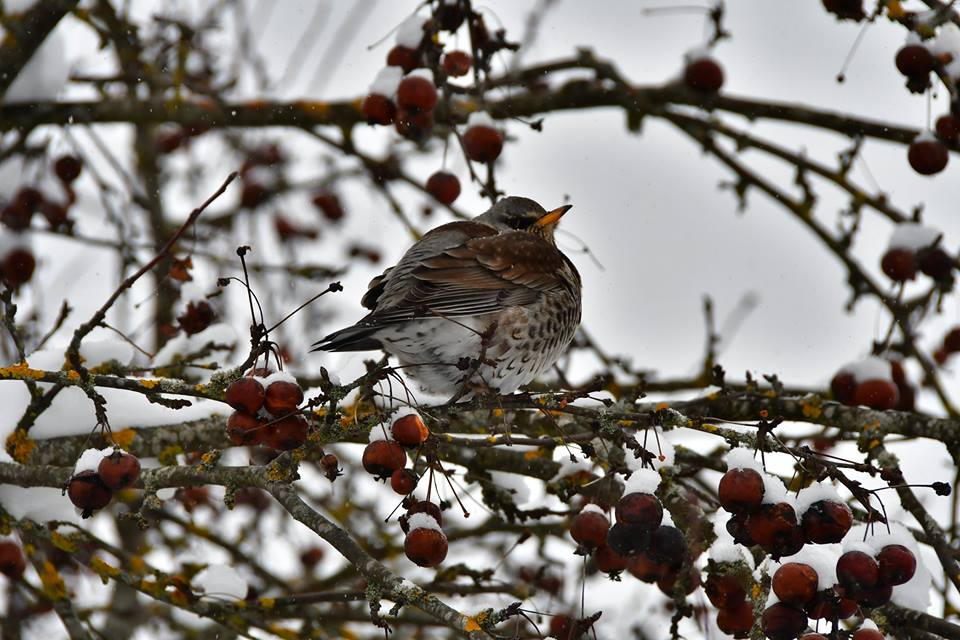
<point x="480" y="274"/>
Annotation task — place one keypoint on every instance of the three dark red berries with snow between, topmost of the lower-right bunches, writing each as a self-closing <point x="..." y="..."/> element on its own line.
<point x="774" y="526"/>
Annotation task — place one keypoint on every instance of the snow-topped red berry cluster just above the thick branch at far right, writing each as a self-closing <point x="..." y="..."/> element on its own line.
<point x="874" y="382"/>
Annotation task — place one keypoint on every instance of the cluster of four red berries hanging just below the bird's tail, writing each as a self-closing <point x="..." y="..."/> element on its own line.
<point x="266" y="411"/>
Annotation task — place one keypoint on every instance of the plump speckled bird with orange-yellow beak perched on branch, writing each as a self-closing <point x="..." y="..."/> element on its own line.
<point x="488" y="303"/>
